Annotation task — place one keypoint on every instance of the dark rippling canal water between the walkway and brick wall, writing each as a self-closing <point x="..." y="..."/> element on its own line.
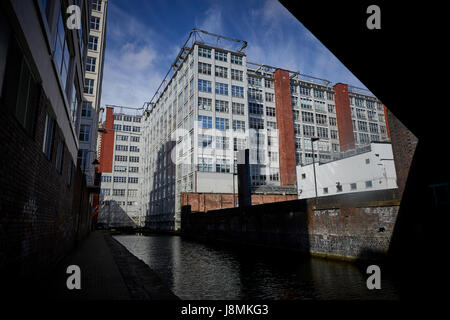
<point x="198" y="271"/>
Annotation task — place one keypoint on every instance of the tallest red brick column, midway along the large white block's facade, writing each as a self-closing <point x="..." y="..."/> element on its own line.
<point x="285" y="125"/>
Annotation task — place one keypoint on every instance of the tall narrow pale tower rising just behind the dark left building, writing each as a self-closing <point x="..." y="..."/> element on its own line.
<point x="92" y="87"/>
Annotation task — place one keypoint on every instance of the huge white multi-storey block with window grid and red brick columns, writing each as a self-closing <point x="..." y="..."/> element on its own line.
<point x="217" y="103"/>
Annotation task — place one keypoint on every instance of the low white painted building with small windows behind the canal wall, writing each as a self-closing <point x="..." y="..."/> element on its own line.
<point x="369" y="168"/>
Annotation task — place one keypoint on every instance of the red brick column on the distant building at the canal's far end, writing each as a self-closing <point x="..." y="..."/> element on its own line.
<point x="107" y="143"/>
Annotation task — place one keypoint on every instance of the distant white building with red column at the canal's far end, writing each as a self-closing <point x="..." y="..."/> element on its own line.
<point x="120" y="165"/>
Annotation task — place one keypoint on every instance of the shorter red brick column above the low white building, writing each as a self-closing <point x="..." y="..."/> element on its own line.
<point x="344" y="117"/>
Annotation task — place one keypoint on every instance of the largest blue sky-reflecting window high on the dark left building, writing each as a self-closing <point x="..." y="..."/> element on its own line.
<point x="61" y="53"/>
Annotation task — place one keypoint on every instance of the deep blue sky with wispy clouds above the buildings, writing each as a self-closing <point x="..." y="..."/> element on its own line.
<point x="145" y="36"/>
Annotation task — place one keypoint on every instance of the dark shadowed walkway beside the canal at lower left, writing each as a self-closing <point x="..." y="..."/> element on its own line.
<point x="108" y="272"/>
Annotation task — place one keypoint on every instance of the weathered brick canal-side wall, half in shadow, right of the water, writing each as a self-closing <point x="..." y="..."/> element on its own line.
<point x="351" y="226"/>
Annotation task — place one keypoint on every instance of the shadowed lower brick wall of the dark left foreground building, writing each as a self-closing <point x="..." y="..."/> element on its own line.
<point x="38" y="208"/>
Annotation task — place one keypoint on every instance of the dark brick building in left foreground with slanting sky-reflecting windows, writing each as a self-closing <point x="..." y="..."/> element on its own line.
<point x="42" y="199"/>
